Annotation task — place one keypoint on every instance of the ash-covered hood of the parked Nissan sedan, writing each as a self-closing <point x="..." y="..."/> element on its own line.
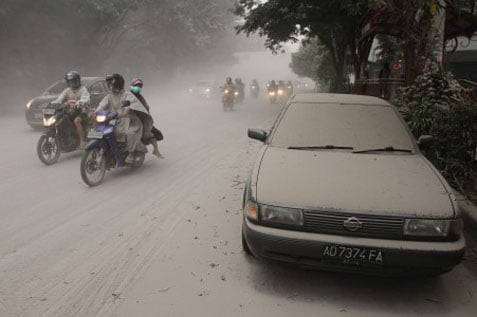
<point x="392" y="185"/>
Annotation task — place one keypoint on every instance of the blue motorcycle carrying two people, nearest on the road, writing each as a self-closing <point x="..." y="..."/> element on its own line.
<point x="104" y="152"/>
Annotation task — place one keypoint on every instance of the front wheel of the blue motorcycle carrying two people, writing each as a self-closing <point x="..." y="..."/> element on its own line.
<point x="93" y="167"/>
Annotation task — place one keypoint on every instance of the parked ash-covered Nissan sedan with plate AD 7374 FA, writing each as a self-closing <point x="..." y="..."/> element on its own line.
<point x="340" y="184"/>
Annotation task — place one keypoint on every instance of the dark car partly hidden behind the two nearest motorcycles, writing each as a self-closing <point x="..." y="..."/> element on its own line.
<point x="96" y="86"/>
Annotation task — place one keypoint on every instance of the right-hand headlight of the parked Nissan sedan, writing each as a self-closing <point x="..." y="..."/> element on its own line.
<point x="432" y="227"/>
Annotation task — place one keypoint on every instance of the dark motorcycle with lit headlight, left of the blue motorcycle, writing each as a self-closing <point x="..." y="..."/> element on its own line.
<point x="60" y="135"/>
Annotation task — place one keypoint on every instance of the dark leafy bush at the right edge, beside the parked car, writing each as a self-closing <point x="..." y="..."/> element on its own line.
<point x="435" y="104"/>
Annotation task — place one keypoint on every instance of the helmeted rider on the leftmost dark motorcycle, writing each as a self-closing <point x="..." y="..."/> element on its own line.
<point x="77" y="96"/>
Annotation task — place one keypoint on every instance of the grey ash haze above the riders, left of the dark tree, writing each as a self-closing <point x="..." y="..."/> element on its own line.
<point x="170" y="44"/>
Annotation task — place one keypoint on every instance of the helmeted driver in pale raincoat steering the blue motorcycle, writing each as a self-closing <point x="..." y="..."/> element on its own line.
<point x="132" y="128"/>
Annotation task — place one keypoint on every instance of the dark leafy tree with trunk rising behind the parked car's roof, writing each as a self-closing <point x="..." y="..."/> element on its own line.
<point x="334" y="23"/>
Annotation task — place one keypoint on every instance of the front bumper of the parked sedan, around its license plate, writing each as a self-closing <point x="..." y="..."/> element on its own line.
<point x="306" y="249"/>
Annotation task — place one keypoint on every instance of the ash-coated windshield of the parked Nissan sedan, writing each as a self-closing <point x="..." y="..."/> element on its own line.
<point x="354" y="126"/>
